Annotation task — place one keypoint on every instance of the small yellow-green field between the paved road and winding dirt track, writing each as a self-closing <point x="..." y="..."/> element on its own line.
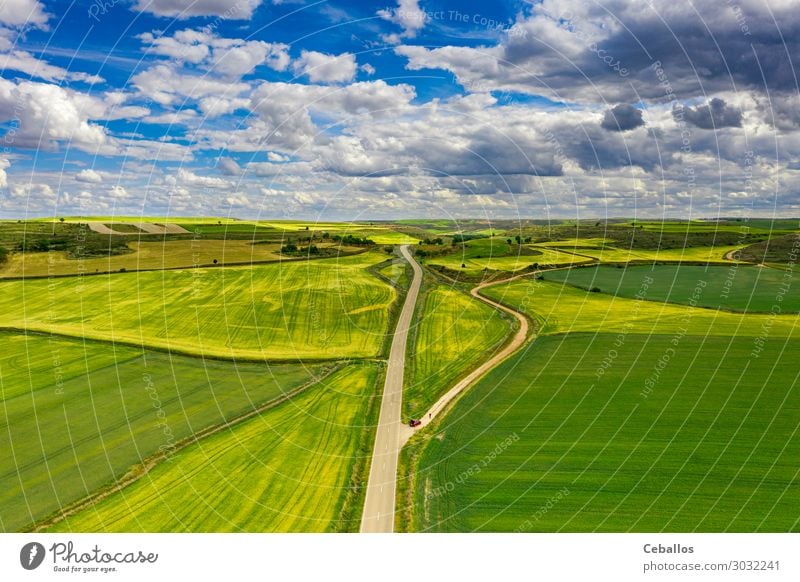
<point x="454" y="334"/>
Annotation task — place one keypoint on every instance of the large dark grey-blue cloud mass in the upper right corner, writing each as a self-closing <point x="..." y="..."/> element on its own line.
<point x="623" y="50"/>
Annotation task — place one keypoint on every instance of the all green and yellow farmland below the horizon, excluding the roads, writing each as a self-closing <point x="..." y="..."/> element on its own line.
<point x="657" y="391"/>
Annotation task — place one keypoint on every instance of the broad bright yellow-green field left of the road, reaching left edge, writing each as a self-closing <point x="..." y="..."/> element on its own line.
<point x="327" y="309"/>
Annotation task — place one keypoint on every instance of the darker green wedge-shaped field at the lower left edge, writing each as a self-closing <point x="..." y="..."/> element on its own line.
<point x="77" y="416"/>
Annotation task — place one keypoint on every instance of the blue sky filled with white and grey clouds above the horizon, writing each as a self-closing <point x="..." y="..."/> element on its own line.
<point x="355" y="110"/>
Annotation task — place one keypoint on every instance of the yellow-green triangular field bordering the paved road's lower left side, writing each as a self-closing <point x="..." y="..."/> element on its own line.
<point x="288" y="469"/>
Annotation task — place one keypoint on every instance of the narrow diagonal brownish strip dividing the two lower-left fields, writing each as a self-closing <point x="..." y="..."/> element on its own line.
<point x="138" y="471"/>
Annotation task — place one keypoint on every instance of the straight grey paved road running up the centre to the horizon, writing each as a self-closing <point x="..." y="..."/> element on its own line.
<point x="378" y="516"/>
